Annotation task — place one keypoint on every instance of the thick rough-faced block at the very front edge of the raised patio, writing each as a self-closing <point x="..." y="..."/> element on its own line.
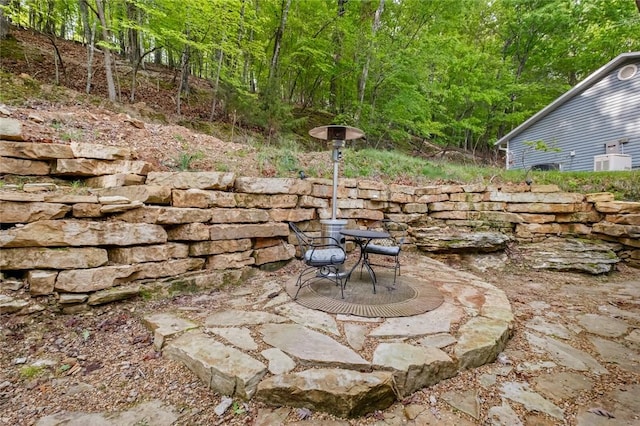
<point x="343" y="393"/>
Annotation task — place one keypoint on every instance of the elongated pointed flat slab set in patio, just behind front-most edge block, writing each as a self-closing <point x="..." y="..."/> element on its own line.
<point x="311" y="347"/>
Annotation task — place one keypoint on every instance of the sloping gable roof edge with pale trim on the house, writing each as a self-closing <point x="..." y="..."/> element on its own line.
<point x="576" y="90"/>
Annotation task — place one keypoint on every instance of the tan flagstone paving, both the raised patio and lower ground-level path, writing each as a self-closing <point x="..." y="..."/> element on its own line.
<point x="270" y="349"/>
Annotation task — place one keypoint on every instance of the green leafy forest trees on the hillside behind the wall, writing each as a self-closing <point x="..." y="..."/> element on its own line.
<point x="456" y="73"/>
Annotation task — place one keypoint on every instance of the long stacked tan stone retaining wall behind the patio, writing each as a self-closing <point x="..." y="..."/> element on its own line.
<point x="117" y="224"/>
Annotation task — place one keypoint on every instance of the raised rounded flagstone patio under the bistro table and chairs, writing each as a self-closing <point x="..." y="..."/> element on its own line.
<point x="267" y="346"/>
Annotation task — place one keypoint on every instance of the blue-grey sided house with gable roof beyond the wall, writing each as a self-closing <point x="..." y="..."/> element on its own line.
<point x="593" y="126"/>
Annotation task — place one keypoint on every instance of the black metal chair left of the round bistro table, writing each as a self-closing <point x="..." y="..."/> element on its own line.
<point x="323" y="258"/>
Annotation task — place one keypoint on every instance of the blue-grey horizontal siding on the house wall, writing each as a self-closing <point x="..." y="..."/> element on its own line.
<point x="605" y="112"/>
